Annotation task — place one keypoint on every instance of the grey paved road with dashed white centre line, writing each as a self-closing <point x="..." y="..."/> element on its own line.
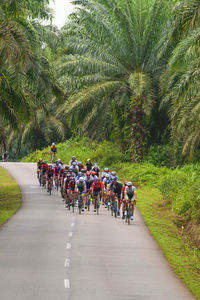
<point x="47" y="253"/>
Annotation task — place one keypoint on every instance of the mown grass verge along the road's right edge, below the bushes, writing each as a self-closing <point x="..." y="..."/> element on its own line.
<point x="176" y="245"/>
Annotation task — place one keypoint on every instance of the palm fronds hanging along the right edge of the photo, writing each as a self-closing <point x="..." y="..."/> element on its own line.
<point x="181" y="82"/>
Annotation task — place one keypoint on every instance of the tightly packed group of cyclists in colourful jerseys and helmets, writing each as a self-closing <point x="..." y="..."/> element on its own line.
<point x="87" y="182"/>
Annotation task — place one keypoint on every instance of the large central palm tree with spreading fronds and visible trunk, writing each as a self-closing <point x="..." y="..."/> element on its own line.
<point x="111" y="55"/>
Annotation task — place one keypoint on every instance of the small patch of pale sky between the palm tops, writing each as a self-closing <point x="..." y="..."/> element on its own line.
<point x="62" y="8"/>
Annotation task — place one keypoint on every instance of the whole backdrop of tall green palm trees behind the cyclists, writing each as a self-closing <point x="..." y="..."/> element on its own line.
<point x="122" y="71"/>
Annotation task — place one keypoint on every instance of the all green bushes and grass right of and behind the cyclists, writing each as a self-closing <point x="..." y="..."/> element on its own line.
<point x="168" y="199"/>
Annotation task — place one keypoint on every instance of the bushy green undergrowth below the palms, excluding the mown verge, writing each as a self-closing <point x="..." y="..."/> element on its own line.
<point x="180" y="185"/>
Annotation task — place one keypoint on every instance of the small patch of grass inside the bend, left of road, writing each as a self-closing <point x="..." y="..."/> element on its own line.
<point x="10" y="197"/>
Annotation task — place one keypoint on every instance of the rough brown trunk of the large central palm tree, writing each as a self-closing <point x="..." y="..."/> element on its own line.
<point x="138" y="132"/>
